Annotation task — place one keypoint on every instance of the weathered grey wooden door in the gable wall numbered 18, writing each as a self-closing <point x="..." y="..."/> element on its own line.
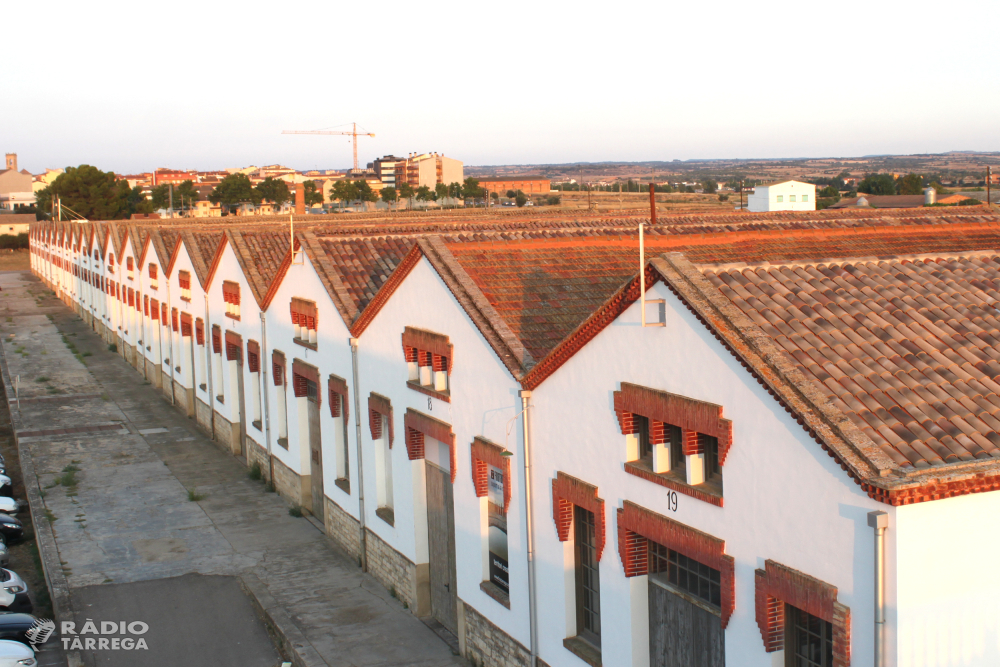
<point x="441" y="545"/>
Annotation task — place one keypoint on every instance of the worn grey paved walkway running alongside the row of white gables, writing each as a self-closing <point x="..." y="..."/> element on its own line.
<point x="128" y="517"/>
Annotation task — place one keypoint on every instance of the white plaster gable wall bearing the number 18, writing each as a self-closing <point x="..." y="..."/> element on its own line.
<point x="483" y="399"/>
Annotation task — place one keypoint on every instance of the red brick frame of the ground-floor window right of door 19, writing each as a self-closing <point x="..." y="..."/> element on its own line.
<point x="777" y="585"/>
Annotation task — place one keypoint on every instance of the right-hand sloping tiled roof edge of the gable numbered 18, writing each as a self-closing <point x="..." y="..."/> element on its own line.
<point x="505" y="343"/>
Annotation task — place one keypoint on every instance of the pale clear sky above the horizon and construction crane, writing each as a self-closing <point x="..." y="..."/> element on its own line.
<point x="130" y="86"/>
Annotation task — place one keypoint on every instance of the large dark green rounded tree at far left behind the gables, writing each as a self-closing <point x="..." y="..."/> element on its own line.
<point x="90" y="193"/>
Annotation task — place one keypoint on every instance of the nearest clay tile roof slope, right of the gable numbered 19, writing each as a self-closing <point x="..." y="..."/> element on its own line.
<point x="953" y="374"/>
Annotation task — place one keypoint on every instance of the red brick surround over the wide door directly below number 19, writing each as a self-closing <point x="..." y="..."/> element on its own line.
<point x="637" y="526"/>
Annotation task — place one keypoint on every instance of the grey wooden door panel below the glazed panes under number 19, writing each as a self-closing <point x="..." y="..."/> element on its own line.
<point x="682" y="633"/>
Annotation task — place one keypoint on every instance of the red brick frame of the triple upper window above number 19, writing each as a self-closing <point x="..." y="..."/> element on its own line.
<point x="696" y="419"/>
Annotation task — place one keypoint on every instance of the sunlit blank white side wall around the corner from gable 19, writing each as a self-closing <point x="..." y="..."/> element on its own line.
<point x="948" y="606"/>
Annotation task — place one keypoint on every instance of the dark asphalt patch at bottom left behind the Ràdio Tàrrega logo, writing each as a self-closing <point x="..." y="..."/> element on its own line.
<point x="193" y="620"/>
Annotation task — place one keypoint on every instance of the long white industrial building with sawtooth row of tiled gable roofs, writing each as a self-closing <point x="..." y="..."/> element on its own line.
<point x="729" y="451"/>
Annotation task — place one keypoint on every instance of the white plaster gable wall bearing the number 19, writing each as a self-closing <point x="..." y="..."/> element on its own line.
<point x="785" y="498"/>
